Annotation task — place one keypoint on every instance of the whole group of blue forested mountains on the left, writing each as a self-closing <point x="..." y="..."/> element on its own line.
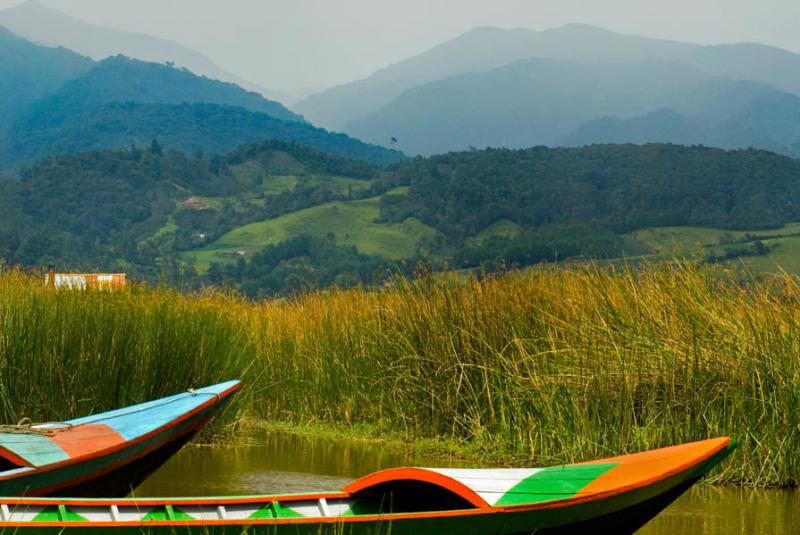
<point x="53" y="101"/>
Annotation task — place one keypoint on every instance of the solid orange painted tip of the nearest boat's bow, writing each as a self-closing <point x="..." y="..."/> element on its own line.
<point x="641" y="469"/>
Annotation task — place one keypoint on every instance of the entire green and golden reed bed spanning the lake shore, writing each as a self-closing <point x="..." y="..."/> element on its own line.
<point x="541" y="366"/>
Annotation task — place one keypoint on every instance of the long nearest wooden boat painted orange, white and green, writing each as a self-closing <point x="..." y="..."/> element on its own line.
<point x="616" y="495"/>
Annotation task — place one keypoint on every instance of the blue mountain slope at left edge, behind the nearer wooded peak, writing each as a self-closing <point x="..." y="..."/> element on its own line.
<point x="28" y="72"/>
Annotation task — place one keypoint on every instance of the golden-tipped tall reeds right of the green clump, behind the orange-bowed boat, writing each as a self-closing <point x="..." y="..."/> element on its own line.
<point x="552" y="365"/>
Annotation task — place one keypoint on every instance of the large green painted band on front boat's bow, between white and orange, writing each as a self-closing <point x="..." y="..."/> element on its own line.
<point x="554" y="483"/>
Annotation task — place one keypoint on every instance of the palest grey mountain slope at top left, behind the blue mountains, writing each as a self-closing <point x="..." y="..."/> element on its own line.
<point x="41" y="24"/>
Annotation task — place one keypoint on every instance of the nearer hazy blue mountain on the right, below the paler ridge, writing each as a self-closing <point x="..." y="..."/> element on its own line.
<point x="568" y="103"/>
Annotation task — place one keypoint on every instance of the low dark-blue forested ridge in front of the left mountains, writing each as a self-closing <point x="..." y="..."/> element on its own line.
<point x="208" y="128"/>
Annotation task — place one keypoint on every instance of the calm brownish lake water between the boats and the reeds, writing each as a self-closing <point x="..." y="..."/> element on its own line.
<point x="277" y="463"/>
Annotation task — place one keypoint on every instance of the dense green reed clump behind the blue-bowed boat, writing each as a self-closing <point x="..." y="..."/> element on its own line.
<point x="65" y="353"/>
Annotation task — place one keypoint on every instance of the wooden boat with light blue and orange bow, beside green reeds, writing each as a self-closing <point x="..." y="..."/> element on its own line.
<point x="105" y="454"/>
